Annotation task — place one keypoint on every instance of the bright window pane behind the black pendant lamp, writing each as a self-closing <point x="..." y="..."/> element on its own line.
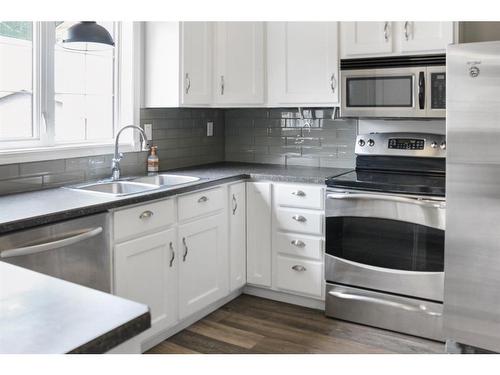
<point x="84" y="92"/>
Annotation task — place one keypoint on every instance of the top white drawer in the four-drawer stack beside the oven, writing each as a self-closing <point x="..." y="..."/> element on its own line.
<point x="300" y="196"/>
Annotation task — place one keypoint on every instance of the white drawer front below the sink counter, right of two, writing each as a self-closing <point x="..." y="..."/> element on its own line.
<point x="200" y="203"/>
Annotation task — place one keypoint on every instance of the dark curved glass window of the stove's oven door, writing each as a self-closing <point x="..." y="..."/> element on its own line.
<point x="386" y="243"/>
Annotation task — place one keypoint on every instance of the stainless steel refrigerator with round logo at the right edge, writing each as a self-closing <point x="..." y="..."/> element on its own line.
<point x="472" y="245"/>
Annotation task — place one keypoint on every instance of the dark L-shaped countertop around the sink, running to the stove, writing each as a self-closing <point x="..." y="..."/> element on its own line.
<point x="20" y="211"/>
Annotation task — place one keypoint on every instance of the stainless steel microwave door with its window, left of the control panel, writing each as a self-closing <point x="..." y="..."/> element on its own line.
<point x="398" y="92"/>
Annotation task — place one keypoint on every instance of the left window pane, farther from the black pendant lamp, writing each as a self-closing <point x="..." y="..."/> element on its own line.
<point x="16" y="81"/>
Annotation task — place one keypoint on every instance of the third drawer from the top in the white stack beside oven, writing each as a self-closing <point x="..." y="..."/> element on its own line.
<point x="299" y="245"/>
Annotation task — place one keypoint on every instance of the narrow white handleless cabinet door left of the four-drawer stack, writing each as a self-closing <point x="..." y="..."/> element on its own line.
<point x="259" y="233"/>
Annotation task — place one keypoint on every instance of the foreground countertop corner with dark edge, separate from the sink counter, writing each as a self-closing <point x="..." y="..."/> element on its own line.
<point x="42" y="314"/>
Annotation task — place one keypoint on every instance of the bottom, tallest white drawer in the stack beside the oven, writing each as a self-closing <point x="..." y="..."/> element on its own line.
<point x="299" y="275"/>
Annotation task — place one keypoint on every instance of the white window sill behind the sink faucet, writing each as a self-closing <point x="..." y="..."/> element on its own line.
<point x="60" y="152"/>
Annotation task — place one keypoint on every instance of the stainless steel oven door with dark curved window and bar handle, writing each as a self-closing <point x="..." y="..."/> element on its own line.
<point x="386" y="242"/>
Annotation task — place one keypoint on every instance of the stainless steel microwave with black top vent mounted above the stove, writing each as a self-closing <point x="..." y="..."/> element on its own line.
<point x="394" y="87"/>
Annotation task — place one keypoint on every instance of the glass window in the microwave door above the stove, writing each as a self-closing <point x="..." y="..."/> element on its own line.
<point x="379" y="91"/>
